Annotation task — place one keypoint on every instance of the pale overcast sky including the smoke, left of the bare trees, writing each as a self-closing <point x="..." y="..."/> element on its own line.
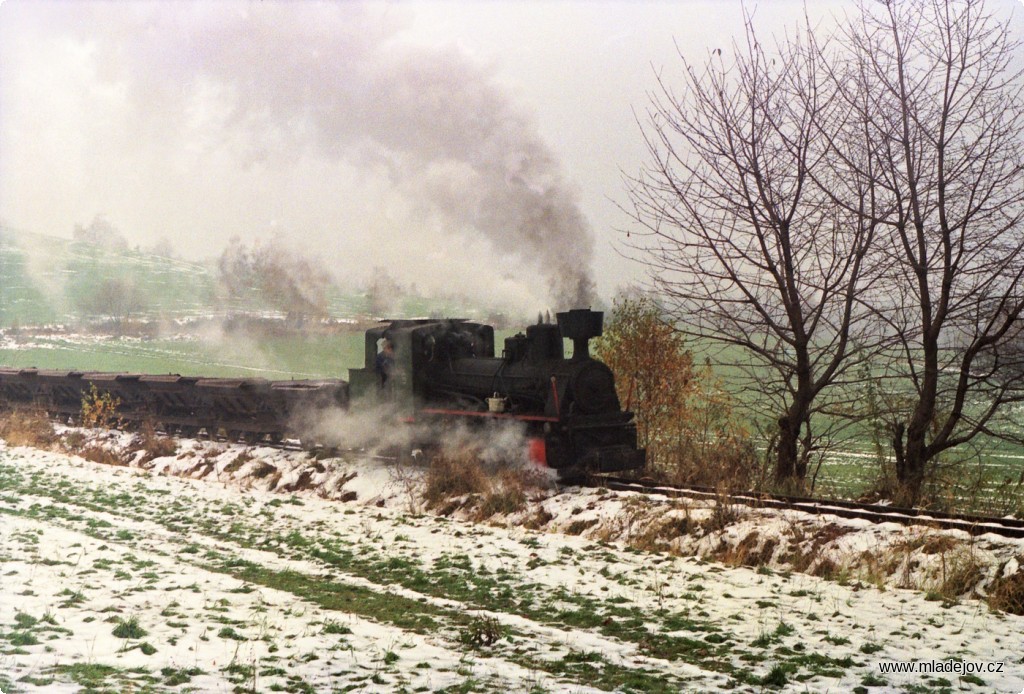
<point x="473" y="147"/>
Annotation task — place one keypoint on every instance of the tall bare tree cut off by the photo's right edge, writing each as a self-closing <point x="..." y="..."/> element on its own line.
<point x="935" y="93"/>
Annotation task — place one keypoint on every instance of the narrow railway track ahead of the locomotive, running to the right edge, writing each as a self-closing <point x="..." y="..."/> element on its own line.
<point x="974" y="526"/>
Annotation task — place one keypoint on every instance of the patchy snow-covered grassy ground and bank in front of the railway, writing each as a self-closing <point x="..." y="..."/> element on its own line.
<point x="232" y="569"/>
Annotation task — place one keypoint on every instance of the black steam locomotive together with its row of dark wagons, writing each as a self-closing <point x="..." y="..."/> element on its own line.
<point x="442" y="371"/>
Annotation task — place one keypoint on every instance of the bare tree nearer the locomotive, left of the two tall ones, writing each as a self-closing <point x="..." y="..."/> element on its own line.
<point x="741" y="234"/>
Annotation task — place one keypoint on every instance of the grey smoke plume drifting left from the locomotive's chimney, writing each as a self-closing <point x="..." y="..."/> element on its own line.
<point x="333" y="80"/>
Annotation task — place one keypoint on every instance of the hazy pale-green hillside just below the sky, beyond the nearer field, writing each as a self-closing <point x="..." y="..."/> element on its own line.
<point x="47" y="280"/>
